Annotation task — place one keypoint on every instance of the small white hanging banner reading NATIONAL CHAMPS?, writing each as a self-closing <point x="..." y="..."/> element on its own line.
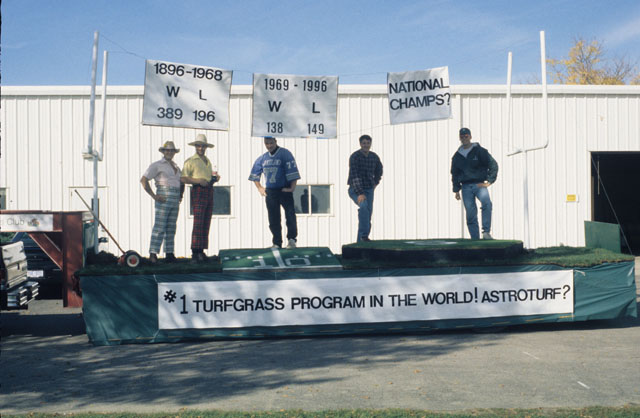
<point x="419" y="95"/>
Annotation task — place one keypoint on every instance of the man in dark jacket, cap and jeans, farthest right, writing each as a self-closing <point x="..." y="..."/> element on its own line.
<point x="473" y="170"/>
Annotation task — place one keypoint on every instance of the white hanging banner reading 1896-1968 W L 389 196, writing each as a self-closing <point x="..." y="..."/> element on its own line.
<point x="184" y="95"/>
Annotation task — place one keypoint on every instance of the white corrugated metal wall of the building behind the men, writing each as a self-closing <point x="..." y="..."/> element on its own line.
<point x="44" y="130"/>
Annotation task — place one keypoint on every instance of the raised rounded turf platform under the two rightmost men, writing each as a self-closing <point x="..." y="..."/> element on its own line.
<point x="433" y="250"/>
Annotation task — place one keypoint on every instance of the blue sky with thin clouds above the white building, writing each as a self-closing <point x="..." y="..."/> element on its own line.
<point x="48" y="42"/>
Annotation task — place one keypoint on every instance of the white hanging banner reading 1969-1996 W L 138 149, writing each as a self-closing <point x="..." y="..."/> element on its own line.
<point x="294" y="106"/>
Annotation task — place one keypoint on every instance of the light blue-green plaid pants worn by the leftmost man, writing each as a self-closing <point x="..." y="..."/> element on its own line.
<point x="164" y="225"/>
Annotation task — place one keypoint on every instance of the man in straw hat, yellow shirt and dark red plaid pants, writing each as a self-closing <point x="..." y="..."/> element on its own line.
<point x="198" y="171"/>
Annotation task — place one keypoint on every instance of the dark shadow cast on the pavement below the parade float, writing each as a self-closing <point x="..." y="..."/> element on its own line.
<point x="47" y="360"/>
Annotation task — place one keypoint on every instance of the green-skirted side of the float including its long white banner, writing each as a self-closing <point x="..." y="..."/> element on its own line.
<point x="159" y="308"/>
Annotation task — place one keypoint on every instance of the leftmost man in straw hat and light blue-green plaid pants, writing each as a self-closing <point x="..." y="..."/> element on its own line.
<point x="167" y="199"/>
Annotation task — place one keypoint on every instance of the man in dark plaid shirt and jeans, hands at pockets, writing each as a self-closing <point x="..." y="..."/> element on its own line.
<point x="365" y="172"/>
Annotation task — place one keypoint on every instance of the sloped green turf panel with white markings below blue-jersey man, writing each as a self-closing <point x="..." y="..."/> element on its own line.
<point x="307" y="258"/>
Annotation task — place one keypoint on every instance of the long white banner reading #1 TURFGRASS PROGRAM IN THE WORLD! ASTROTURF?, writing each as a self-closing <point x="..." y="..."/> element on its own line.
<point x="232" y="304"/>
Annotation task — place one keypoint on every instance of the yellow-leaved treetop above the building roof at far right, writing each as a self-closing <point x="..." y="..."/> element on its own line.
<point x="587" y="64"/>
